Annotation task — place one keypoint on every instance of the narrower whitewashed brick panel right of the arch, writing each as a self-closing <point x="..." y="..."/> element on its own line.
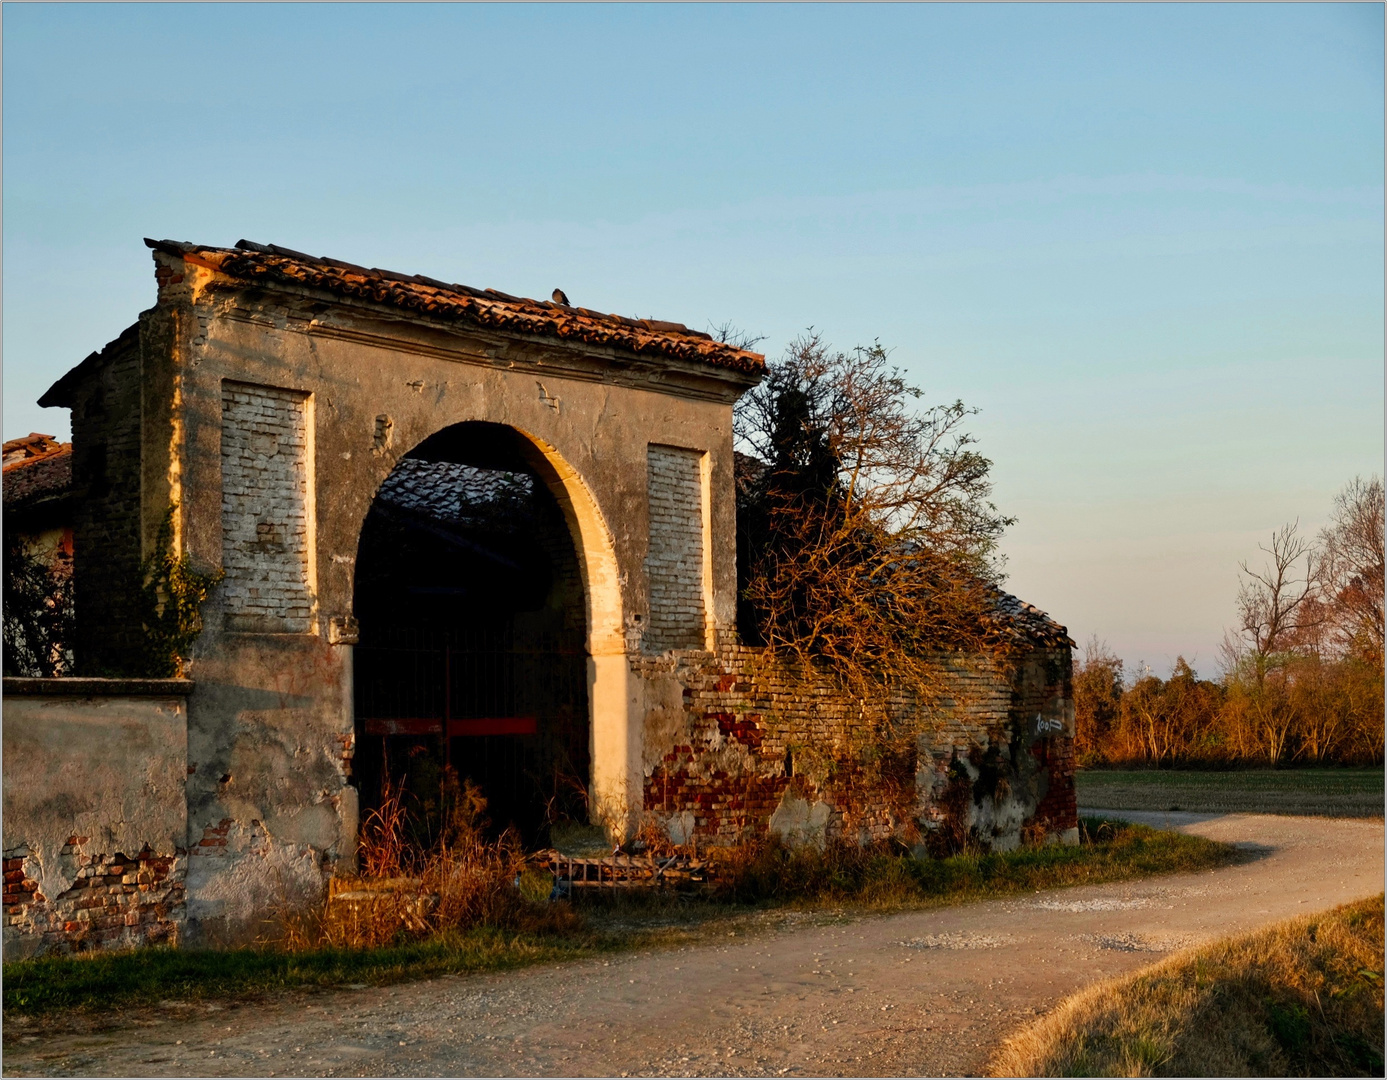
<point x="675" y="565"/>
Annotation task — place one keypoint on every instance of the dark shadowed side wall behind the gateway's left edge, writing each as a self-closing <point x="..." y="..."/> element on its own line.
<point x="106" y="533"/>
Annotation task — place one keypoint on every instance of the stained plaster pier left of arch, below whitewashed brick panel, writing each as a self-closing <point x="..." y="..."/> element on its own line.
<point x="271" y="812"/>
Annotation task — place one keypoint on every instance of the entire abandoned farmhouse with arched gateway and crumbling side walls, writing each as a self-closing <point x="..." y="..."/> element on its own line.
<point x="457" y="526"/>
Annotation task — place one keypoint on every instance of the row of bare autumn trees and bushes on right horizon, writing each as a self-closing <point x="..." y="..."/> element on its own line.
<point x="1302" y="668"/>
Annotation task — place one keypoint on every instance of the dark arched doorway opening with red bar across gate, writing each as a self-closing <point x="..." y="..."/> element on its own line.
<point x="472" y="661"/>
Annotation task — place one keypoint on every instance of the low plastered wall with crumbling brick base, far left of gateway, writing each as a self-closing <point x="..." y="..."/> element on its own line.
<point x="95" y="813"/>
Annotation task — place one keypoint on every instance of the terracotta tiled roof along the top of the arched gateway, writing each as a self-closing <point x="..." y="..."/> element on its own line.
<point x="483" y="307"/>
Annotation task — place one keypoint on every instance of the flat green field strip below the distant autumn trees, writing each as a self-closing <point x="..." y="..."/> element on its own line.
<point x="1338" y="794"/>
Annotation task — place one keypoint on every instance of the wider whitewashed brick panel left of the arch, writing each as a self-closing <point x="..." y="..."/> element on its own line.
<point x="266" y="509"/>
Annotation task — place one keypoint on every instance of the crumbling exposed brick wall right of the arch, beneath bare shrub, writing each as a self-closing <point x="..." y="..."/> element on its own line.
<point x="757" y="734"/>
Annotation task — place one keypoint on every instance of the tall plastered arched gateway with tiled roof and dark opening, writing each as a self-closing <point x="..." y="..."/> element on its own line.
<point x="327" y="436"/>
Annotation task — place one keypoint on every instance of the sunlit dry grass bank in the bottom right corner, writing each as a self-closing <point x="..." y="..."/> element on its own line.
<point x="1300" y="999"/>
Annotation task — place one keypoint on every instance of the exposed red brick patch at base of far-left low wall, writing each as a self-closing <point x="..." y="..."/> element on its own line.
<point x="116" y="900"/>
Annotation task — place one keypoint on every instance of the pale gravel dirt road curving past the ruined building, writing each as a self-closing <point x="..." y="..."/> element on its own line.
<point x="916" y="995"/>
